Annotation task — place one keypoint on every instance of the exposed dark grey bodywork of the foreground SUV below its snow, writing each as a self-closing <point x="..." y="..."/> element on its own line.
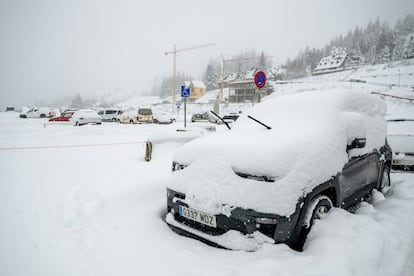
<point x="358" y="178"/>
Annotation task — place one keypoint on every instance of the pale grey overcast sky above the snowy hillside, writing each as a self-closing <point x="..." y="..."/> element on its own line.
<point x="53" y="48"/>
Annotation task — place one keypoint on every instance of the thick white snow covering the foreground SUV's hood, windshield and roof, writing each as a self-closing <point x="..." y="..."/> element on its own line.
<point x="305" y="147"/>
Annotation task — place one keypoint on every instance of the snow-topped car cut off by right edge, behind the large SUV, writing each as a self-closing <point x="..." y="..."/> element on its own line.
<point x="401" y="139"/>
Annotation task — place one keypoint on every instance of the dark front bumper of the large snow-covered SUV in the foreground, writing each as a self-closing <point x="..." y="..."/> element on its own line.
<point x="240" y="226"/>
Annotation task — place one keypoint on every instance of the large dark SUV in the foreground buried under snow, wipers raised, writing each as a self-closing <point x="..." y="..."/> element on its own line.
<point x="281" y="166"/>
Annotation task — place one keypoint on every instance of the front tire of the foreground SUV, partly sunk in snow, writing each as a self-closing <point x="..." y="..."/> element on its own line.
<point x="317" y="208"/>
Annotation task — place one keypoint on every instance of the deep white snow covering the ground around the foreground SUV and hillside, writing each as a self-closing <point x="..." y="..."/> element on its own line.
<point x="83" y="201"/>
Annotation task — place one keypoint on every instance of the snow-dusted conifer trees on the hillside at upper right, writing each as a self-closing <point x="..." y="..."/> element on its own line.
<point x="376" y="43"/>
